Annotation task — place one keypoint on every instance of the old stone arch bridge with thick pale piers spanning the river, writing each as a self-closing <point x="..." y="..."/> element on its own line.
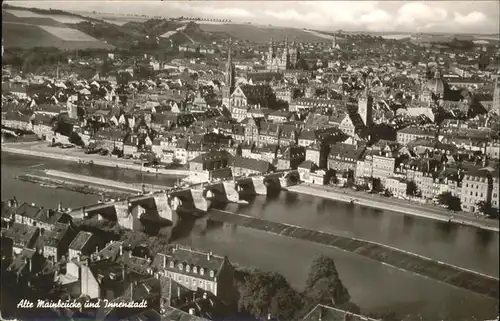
<point x="194" y="198"/>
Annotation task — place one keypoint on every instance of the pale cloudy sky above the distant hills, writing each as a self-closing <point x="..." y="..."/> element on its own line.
<point x="376" y="16"/>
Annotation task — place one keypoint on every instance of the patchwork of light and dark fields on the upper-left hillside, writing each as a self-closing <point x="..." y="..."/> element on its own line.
<point x="28" y="29"/>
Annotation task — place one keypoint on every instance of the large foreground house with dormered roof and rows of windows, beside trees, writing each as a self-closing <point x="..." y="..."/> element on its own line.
<point x="198" y="270"/>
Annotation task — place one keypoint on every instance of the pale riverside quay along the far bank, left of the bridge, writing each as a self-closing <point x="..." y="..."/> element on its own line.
<point x="40" y="149"/>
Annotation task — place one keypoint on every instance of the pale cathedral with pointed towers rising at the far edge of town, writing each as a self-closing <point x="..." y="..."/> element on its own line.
<point x="287" y="58"/>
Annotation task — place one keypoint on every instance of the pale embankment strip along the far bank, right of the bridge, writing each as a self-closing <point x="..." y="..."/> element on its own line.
<point x="394" y="205"/>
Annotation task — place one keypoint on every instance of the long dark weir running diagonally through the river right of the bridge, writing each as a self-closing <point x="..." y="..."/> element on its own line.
<point x="443" y="272"/>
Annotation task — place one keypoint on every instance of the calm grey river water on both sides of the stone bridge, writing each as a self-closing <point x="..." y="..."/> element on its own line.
<point x="373" y="286"/>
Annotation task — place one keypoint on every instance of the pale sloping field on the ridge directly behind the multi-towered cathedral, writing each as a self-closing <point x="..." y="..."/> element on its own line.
<point x="255" y="33"/>
